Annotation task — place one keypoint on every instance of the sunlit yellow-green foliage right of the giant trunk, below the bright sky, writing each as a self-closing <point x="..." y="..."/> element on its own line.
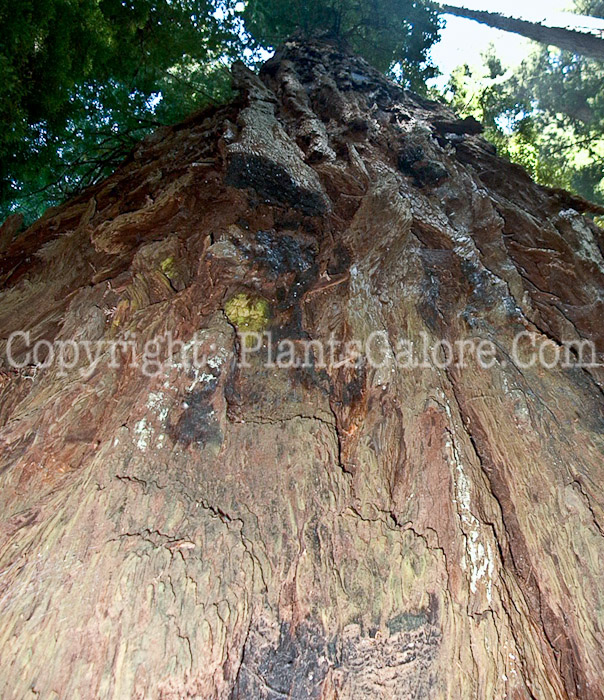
<point x="547" y="115"/>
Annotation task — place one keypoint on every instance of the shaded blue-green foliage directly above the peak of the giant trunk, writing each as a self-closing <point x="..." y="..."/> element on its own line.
<point x="388" y="33"/>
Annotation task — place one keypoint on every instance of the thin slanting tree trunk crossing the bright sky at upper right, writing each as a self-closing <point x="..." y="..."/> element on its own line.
<point x="567" y="39"/>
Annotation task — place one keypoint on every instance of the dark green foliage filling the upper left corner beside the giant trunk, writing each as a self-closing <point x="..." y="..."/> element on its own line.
<point x="80" y="81"/>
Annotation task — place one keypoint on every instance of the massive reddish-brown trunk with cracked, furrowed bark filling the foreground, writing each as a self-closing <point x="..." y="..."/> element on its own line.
<point x="342" y="532"/>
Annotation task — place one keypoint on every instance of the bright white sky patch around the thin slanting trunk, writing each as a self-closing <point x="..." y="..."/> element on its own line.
<point x="463" y="40"/>
